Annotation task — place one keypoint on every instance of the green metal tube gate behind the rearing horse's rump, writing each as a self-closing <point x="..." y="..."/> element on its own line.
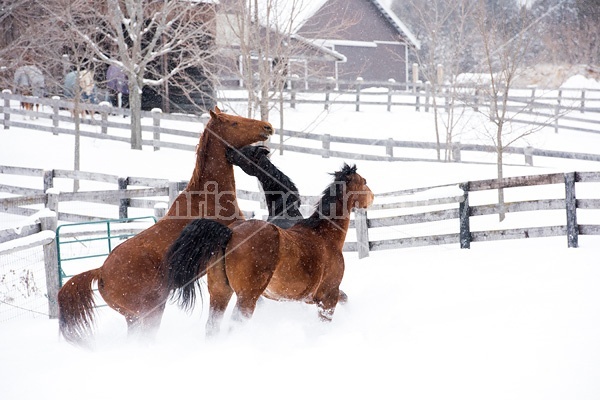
<point x="92" y="242"/>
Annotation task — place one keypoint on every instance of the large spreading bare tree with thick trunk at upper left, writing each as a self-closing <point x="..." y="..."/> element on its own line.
<point x="155" y="43"/>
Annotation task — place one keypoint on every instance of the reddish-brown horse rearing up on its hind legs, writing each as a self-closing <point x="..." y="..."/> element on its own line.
<point x="132" y="280"/>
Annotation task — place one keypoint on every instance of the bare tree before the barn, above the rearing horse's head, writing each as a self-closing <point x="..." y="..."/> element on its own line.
<point x="260" y="46"/>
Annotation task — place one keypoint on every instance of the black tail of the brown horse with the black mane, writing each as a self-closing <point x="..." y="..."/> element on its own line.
<point x="188" y="257"/>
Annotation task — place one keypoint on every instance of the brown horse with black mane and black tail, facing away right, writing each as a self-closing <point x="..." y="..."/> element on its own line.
<point x="254" y="258"/>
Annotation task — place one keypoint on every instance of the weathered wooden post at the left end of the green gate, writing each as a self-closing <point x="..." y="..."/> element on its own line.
<point x="49" y="223"/>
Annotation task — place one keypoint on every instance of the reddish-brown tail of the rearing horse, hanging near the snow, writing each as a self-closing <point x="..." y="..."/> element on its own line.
<point x="76" y="307"/>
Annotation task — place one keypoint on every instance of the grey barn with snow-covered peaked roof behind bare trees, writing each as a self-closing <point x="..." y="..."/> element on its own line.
<point x="340" y="39"/>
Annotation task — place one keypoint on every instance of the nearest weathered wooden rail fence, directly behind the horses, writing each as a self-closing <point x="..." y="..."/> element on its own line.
<point x="455" y="209"/>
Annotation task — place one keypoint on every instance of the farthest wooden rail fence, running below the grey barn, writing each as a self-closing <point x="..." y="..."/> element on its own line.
<point x="530" y="105"/>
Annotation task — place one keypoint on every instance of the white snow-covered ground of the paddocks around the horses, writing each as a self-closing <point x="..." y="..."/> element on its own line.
<point x="503" y="320"/>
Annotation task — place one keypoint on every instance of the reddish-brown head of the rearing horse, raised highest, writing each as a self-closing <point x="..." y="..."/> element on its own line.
<point x="237" y="131"/>
